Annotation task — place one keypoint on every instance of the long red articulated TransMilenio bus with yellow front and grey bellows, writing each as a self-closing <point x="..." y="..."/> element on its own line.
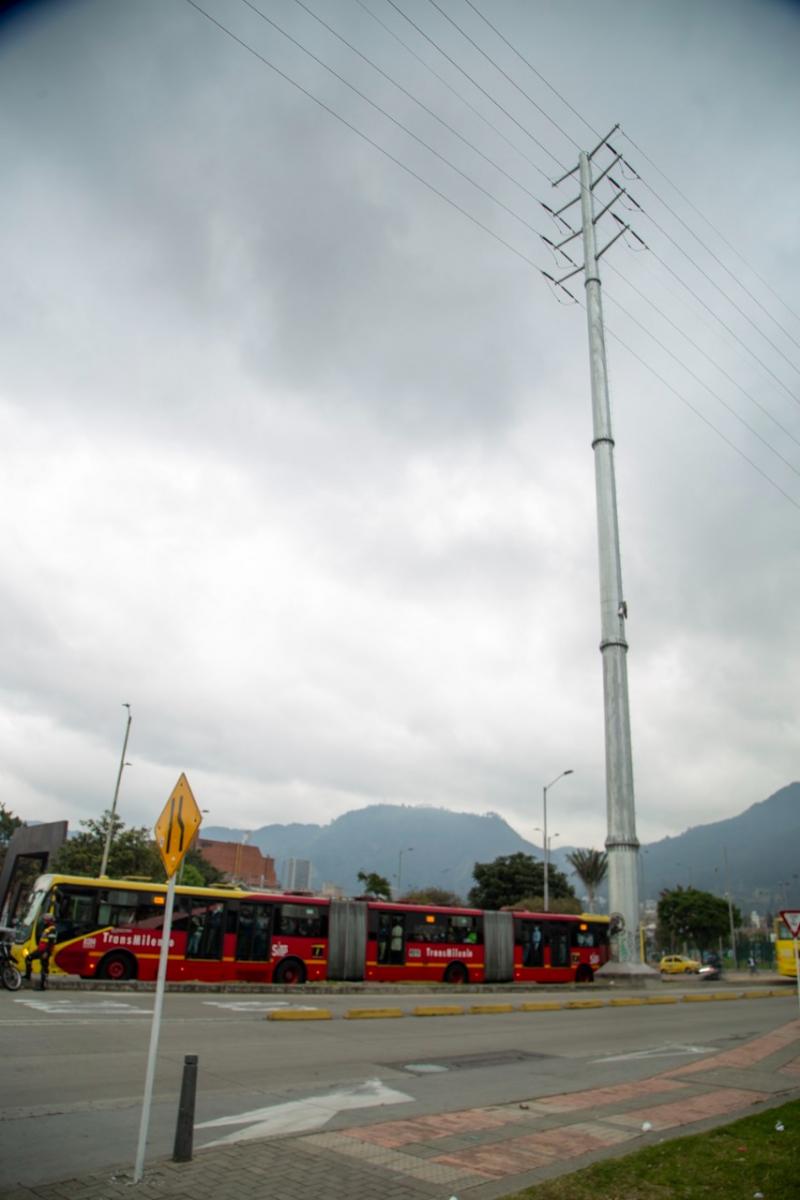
<point x="111" y="929"/>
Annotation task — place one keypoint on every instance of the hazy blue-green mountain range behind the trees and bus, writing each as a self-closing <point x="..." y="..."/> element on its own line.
<point x="755" y="855"/>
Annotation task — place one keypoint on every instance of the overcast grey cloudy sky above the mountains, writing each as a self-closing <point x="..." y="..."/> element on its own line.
<point x="297" y="458"/>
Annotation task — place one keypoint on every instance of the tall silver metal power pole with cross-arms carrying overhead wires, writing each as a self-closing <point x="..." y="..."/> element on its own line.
<point x="622" y="843"/>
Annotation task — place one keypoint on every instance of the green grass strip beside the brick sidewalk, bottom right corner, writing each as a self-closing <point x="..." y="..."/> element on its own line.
<point x="735" y="1162"/>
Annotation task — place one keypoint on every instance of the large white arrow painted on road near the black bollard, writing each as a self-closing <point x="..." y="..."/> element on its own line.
<point x="300" y="1117"/>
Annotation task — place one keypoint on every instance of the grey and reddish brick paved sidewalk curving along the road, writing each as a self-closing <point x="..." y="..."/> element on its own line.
<point x="474" y="1155"/>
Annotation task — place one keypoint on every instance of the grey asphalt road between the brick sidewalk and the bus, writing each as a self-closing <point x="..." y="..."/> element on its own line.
<point x="75" y="1065"/>
